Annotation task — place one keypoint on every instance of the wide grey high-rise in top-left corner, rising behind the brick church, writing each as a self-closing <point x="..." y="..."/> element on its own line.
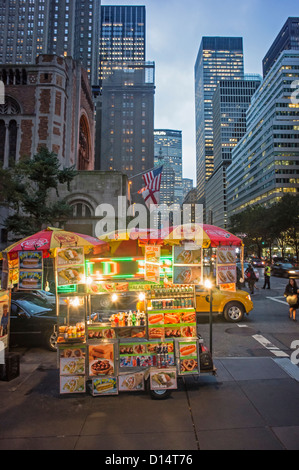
<point x="62" y="27"/>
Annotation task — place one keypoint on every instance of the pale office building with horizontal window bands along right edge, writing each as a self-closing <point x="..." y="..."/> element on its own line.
<point x="265" y="163"/>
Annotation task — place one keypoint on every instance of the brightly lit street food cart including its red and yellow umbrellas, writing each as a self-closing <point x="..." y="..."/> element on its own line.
<point x="126" y="305"/>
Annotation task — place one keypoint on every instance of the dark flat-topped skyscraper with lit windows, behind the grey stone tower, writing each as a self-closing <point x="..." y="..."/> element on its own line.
<point x="122" y="37"/>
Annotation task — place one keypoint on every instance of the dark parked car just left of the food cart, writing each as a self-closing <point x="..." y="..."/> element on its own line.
<point x="33" y="323"/>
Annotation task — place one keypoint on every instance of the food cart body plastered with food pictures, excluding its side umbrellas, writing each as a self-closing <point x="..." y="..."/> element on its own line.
<point x="141" y="331"/>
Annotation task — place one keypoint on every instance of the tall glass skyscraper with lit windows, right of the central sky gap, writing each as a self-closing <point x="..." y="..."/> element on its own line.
<point x="219" y="58"/>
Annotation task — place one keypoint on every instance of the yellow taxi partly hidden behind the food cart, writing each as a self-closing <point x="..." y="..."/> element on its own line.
<point x="232" y="305"/>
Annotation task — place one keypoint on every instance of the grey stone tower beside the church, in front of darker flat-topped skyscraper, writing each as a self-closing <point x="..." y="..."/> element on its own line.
<point x="127" y="133"/>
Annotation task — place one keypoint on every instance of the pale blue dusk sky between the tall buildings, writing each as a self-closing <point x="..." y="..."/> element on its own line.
<point x="174" y="29"/>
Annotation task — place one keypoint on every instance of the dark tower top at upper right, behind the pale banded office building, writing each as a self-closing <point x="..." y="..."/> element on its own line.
<point x="287" y="39"/>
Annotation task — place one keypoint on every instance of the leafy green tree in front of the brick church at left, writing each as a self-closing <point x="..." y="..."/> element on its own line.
<point x="26" y="189"/>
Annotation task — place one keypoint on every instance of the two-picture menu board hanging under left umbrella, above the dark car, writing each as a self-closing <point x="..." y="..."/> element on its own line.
<point x="30" y="270"/>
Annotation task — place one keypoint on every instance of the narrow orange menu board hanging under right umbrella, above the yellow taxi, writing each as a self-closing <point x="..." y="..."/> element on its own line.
<point x="226" y="268"/>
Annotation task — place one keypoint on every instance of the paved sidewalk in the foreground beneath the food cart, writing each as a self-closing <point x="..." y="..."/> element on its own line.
<point x="251" y="404"/>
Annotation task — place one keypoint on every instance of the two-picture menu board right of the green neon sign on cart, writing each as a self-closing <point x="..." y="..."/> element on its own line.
<point x="187" y="264"/>
